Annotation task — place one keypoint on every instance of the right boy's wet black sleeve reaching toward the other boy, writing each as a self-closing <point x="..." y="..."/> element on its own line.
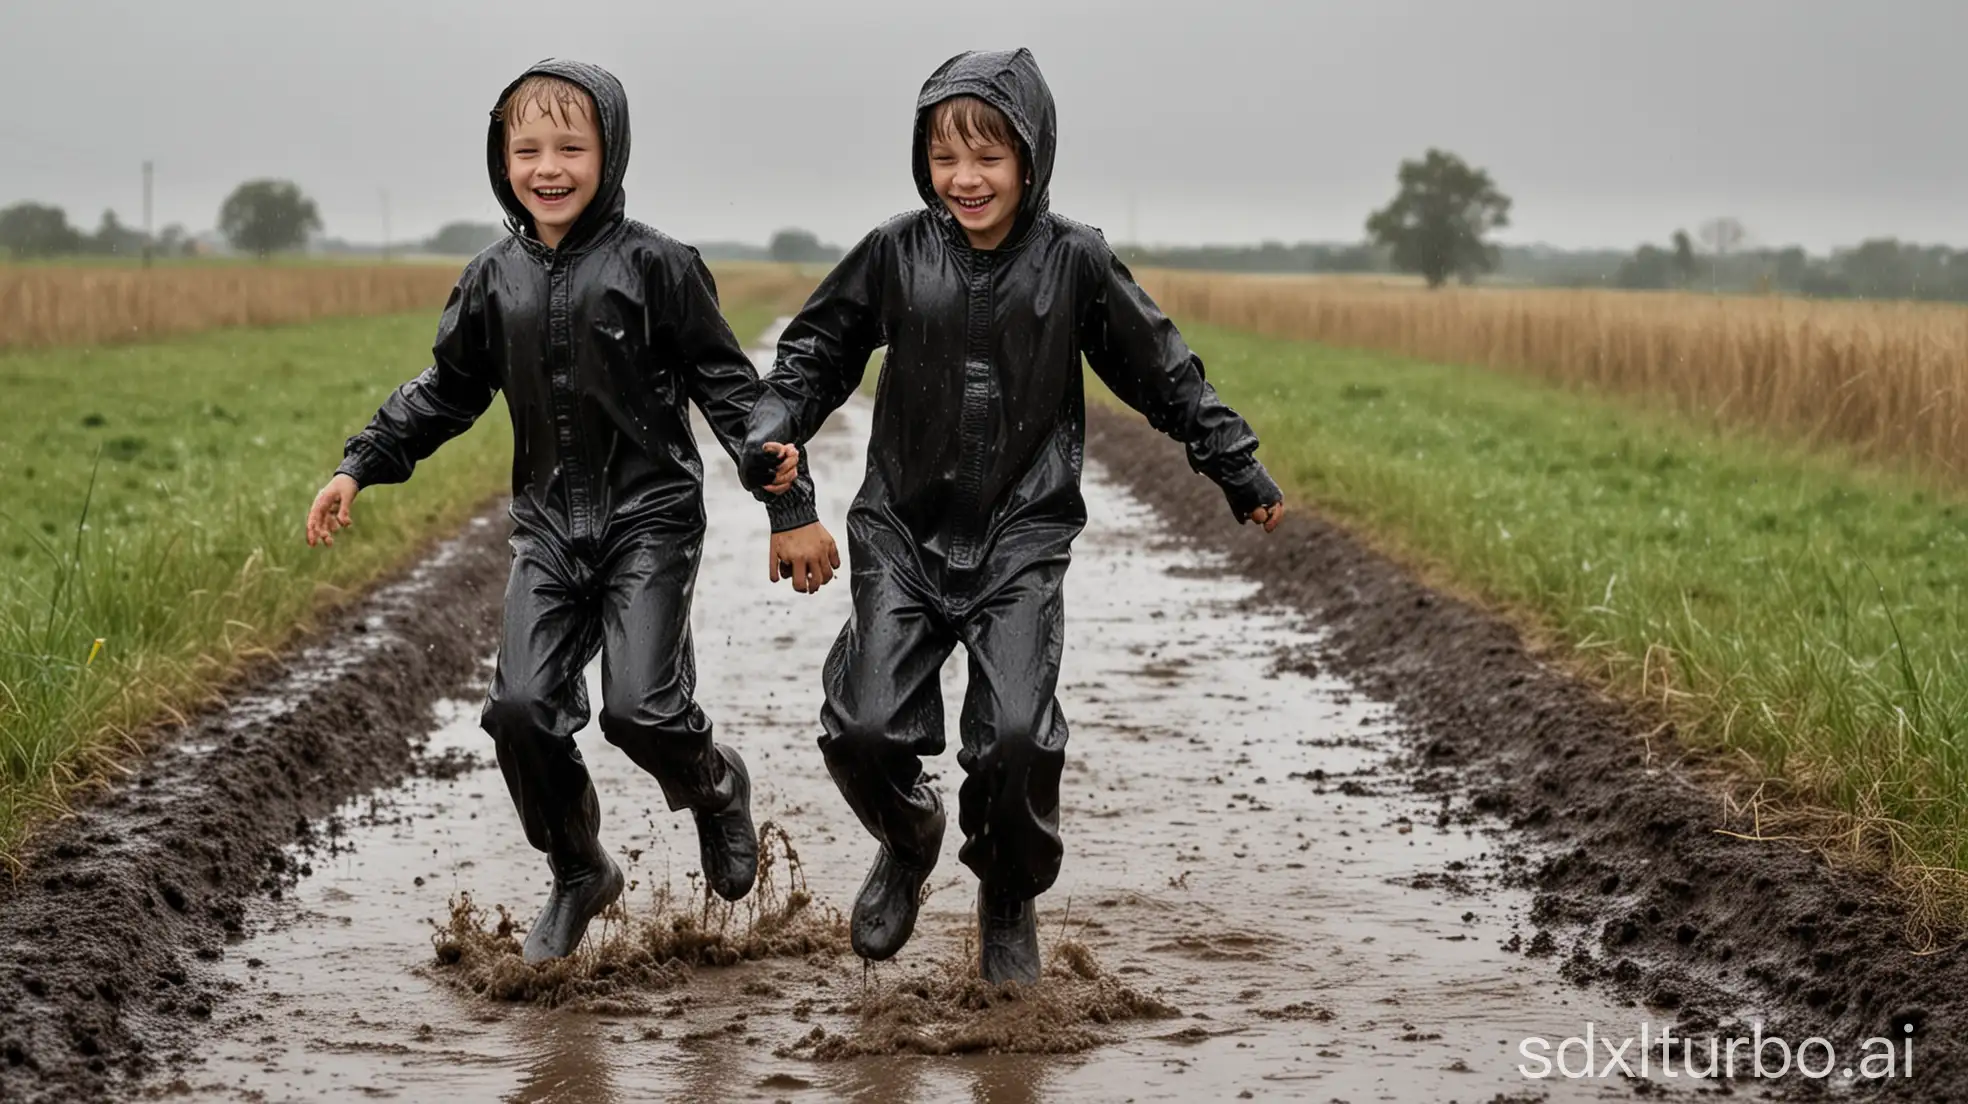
<point x="826" y="349"/>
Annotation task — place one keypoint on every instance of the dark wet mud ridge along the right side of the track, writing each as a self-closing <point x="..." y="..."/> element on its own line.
<point x="1636" y="890"/>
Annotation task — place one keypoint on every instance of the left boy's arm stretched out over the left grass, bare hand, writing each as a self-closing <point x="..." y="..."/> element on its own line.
<point x="420" y="416"/>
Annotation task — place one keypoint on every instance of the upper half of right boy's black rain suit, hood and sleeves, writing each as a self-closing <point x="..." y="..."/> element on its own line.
<point x="979" y="426"/>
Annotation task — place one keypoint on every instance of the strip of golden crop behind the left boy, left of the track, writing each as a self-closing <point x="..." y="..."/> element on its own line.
<point x="44" y="306"/>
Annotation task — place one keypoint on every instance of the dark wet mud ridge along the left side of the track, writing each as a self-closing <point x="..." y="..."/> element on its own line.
<point x="111" y="934"/>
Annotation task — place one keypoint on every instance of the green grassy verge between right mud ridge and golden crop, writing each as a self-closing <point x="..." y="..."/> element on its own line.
<point x="1794" y="609"/>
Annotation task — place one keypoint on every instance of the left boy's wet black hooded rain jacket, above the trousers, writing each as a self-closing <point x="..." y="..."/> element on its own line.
<point x="599" y="347"/>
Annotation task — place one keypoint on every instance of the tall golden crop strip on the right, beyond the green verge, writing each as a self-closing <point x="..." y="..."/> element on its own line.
<point x="1888" y="381"/>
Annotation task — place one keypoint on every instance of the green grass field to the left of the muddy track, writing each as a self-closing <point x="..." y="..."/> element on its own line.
<point x="153" y="499"/>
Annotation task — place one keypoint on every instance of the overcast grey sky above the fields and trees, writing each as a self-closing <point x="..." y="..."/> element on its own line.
<point x="1229" y="121"/>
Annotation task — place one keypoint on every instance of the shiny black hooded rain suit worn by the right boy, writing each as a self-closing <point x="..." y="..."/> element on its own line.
<point x="963" y="528"/>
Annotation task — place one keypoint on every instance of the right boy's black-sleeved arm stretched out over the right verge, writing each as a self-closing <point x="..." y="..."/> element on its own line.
<point x="1140" y="357"/>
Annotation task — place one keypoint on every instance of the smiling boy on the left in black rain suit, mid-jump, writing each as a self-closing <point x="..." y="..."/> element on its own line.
<point x="599" y="332"/>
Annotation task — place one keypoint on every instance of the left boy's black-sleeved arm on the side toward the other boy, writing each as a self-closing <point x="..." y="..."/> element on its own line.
<point x="723" y="383"/>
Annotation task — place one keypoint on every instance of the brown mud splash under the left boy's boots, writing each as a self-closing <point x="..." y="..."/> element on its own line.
<point x="633" y="953"/>
